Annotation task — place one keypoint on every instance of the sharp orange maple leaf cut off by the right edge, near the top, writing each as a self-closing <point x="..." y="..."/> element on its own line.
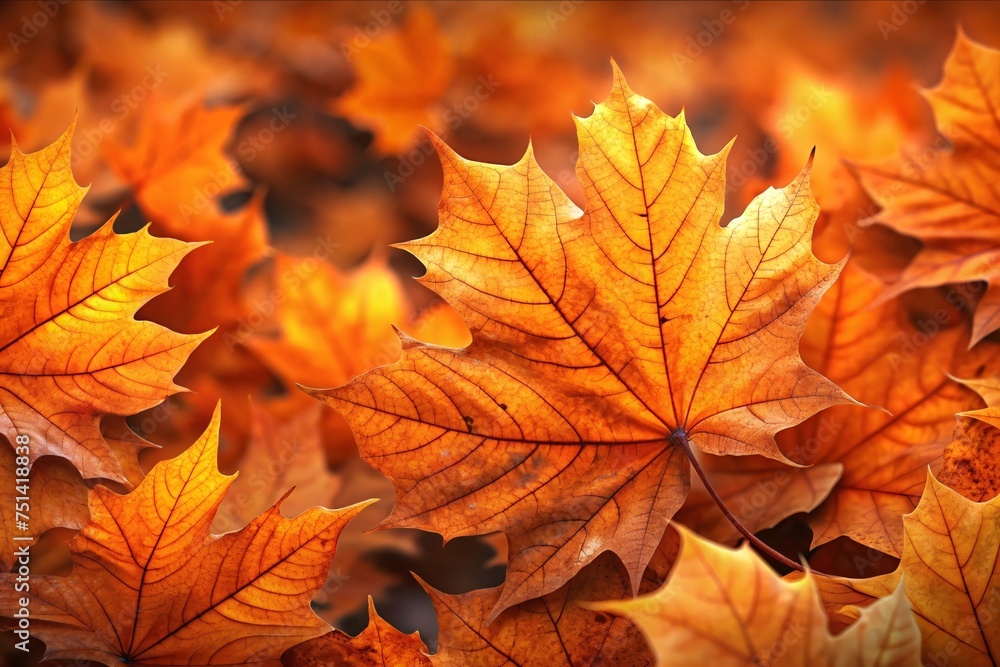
<point x="946" y="197"/>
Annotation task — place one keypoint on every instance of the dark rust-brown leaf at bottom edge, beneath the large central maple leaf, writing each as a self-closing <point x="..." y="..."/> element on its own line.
<point x="561" y="631"/>
